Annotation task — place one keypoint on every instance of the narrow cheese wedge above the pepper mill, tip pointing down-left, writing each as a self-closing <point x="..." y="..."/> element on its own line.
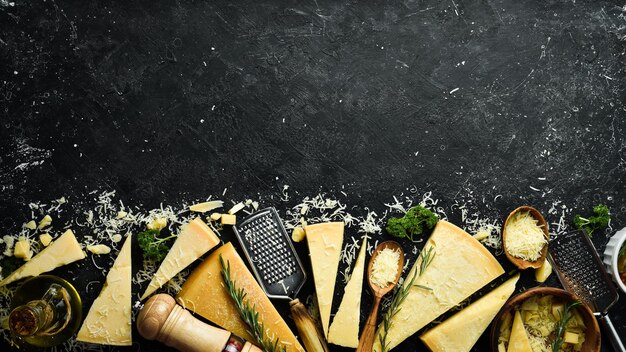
<point x="195" y="239"/>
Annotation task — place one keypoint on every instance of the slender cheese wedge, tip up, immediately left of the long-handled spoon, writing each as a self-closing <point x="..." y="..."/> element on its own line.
<point x="344" y="330"/>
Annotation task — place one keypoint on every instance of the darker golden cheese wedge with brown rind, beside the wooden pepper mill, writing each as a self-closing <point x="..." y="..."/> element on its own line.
<point x="205" y="294"/>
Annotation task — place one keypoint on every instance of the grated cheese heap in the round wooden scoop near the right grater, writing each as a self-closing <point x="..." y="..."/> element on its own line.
<point x="524" y="238"/>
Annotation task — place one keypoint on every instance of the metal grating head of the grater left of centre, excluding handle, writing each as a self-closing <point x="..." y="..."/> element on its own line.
<point x="271" y="255"/>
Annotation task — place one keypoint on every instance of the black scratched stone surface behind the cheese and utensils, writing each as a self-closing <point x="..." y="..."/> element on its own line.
<point x="171" y="101"/>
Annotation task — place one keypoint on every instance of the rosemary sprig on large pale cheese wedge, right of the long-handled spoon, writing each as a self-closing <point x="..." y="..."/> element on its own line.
<point x="401" y="293"/>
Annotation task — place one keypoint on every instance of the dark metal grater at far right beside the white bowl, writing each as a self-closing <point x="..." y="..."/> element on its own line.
<point x="581" y="272"/>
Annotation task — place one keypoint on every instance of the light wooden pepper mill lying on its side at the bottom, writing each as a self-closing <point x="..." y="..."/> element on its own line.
<point x="163" y="320"/>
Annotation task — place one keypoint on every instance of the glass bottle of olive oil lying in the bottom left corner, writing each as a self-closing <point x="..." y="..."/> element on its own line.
<point x="46" y="311"/>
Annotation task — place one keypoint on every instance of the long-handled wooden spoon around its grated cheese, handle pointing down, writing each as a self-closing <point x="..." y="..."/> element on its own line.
<point x="367" y="336"/>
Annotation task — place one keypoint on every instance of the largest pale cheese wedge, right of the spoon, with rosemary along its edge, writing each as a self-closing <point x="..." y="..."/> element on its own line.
<point x="460" y="267"/>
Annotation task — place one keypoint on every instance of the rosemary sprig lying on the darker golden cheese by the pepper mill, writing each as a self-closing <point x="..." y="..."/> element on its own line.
<point x="247" y="313"/>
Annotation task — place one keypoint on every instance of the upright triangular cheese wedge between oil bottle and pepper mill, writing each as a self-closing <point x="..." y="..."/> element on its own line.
<point x="109" y="320"/>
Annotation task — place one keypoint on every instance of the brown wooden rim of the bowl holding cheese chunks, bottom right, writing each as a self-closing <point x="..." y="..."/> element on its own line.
<point x="592" y="333"/>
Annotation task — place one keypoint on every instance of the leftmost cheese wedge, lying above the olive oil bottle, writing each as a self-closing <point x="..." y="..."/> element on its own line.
<point x="61" y="252"/>
